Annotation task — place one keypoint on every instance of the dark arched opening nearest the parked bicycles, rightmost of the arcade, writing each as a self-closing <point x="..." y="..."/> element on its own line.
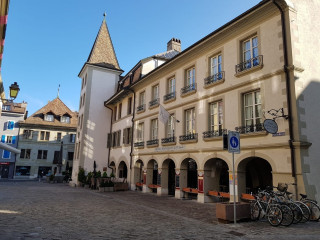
<point x="254" y="173"/>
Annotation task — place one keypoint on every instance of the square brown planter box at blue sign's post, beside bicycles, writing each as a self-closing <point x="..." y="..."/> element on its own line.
<point x="224" y="211"/>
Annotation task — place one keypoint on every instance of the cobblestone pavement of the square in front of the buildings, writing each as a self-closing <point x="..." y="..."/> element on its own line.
<point x="33" y="210"/>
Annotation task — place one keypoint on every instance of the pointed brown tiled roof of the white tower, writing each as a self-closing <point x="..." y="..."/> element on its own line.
<point x="102" y="52"/>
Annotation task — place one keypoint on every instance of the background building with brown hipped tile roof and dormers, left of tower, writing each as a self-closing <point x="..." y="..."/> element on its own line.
<point x="46" y="141"/>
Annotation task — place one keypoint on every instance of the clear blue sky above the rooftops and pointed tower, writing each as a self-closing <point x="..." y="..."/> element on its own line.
<point x="48" y="41"/>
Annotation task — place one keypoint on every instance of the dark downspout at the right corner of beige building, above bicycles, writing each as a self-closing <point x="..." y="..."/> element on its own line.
<point x="288" y="86"/>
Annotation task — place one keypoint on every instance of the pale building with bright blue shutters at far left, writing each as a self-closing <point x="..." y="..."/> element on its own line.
<point x="11" y="115"/>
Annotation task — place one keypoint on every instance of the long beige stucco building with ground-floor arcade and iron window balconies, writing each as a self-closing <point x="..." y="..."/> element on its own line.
<point x="260" y="65"/>
